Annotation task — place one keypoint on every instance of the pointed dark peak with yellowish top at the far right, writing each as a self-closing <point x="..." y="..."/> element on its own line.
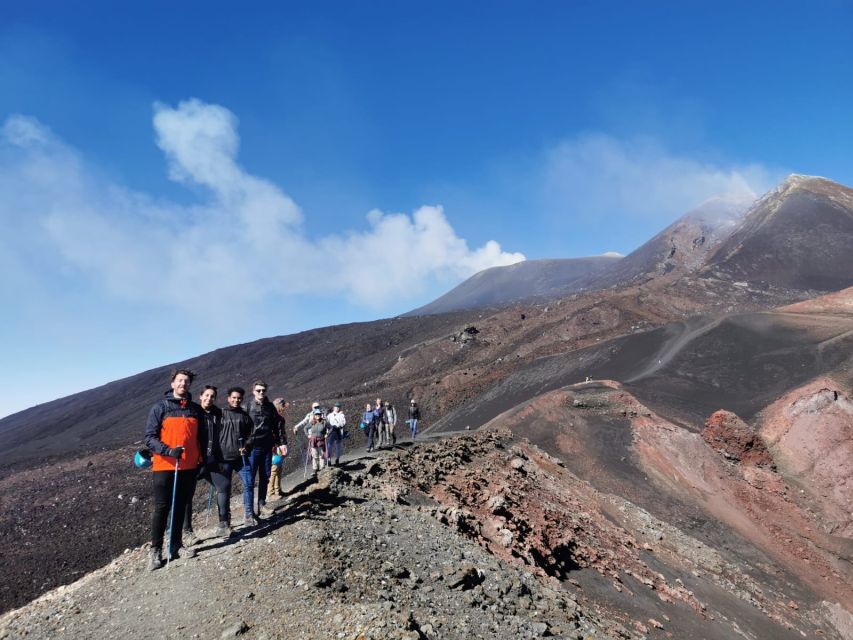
<point x="799" y="236"/>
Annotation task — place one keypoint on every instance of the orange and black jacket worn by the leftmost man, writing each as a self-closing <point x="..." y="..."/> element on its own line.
<point x="176" y="422"/>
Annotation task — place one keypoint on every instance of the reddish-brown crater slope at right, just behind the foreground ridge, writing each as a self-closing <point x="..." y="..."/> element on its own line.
<point x="771" y="543"/>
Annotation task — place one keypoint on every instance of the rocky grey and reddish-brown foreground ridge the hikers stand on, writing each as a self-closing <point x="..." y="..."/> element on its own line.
<point x="510" y="544"/>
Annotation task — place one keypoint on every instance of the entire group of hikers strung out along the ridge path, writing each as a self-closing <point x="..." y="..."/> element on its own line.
<point x="188" y="441"/>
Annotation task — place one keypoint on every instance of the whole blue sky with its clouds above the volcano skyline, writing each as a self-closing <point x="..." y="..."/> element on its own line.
<point x="176" y="179"/>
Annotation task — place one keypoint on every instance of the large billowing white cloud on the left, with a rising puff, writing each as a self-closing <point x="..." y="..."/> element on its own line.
<point x="248" y="230"/>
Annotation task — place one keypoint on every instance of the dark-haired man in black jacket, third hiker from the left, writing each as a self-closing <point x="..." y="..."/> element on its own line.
<point x="234" y="429"/>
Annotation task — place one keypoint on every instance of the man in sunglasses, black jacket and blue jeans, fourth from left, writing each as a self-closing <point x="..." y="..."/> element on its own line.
<point x="267" y="435"/>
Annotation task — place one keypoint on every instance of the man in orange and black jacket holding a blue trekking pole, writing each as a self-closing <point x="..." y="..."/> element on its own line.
<point x="175" y="436"/>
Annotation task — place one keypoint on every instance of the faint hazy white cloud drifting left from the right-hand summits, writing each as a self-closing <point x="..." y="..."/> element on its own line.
<point x="598" y="176"/>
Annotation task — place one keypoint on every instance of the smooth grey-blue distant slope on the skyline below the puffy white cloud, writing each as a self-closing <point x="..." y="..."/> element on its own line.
<point x="522" y="281"/>
